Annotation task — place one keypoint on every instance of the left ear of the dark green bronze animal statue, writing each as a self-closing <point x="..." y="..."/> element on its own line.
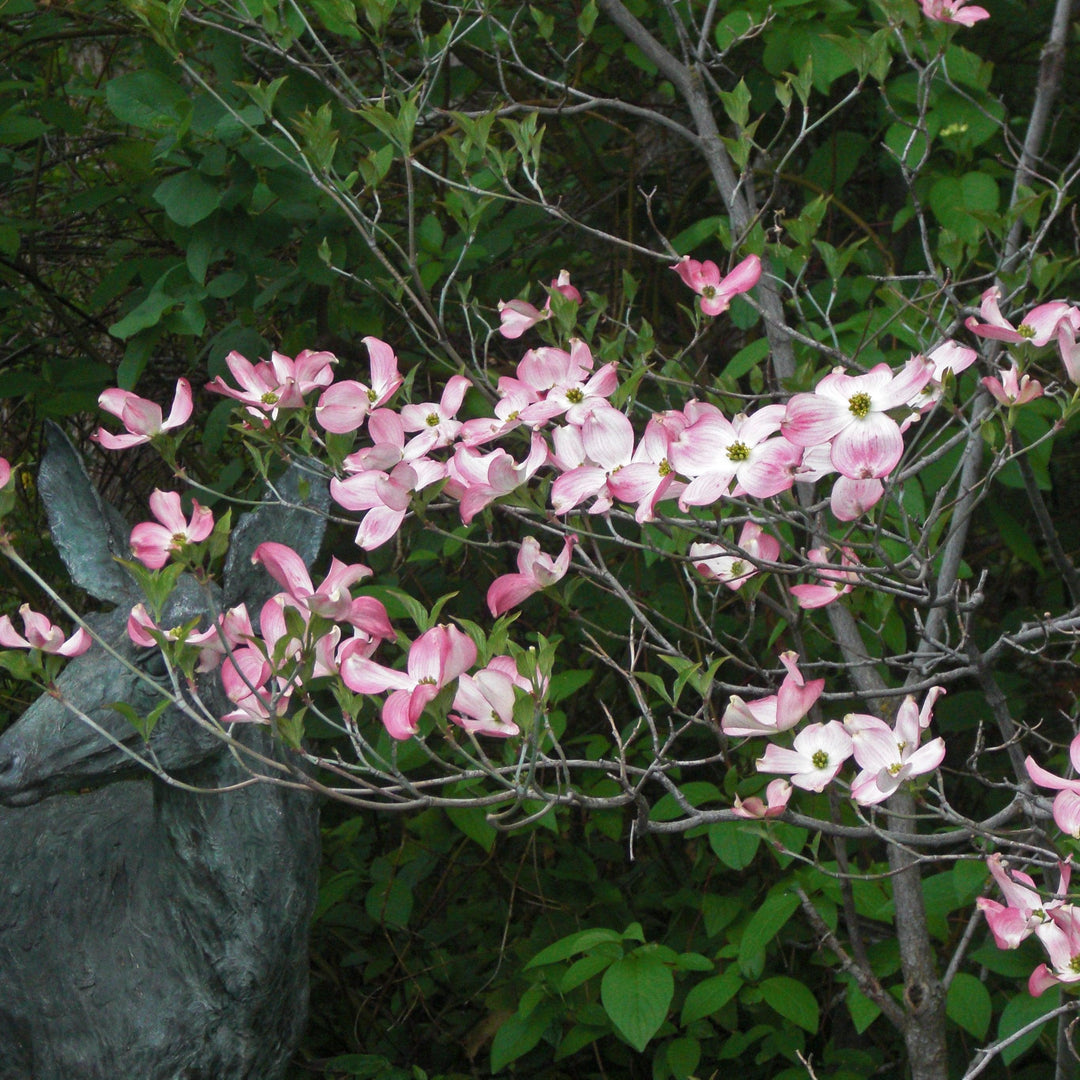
<point x="89" y="533"/>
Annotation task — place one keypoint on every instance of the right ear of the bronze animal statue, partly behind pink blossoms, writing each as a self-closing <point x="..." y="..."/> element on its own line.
<point x="294" y="514"/>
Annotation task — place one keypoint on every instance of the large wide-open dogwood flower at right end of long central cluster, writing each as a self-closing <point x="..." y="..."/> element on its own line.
<point x="852" y="413"/>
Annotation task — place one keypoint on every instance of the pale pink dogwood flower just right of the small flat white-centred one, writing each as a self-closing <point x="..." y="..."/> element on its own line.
<point x="890" y="757"/>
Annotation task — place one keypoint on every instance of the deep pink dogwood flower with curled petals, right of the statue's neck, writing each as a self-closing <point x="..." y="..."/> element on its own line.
<point x="436" y="659"/>
